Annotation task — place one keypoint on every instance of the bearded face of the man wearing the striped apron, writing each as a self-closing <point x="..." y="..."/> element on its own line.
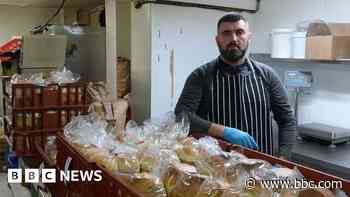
<point x="233" y="40"/>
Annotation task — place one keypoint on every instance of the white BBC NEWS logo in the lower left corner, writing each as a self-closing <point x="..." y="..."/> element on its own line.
<point x="50" y="175"/>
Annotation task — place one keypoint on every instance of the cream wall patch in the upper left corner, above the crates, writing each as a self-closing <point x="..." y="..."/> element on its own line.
<point x="16" y="21"/>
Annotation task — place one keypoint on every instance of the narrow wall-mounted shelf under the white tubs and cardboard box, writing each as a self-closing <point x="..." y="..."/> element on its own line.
<point x="265" y="57"/>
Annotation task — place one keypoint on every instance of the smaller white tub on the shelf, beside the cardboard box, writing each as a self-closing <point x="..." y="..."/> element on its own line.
<point x="298" y="45"/>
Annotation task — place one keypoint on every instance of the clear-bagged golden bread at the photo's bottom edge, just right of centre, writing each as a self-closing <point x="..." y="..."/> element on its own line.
<point x="182" y="180"/>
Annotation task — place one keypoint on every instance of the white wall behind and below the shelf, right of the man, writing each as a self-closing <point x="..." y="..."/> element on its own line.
<point x="329" y="102"/>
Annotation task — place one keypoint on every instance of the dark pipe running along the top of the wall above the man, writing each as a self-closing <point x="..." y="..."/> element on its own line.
<point x="140" y="3"/>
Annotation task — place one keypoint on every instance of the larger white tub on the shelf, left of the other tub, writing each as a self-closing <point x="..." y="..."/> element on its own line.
<point x="281" y="43"/>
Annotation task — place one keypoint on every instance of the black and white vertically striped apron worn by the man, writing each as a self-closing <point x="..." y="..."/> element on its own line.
<point x="241" y="101"/>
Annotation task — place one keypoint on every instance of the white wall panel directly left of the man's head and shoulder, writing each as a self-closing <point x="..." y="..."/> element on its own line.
<point x="191" y="36"/>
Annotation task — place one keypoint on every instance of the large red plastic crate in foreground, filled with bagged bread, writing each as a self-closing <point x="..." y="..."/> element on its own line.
<point x="111" y="186"/>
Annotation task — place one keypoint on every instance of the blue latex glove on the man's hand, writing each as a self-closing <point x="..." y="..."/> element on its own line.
<point x="236" y="136"/>
